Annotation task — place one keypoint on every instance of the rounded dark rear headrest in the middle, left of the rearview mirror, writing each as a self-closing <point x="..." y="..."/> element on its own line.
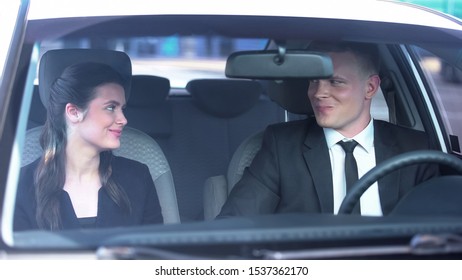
<point x="225" y="98"/>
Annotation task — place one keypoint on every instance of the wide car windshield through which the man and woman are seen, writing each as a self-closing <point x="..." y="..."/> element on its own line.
<point x="219" y="140"/>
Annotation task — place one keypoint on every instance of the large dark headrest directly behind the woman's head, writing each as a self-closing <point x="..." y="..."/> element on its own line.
<point x="53" y="63"/>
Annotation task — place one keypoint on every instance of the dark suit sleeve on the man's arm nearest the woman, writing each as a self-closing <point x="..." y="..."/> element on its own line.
<point x="258" y="190"/>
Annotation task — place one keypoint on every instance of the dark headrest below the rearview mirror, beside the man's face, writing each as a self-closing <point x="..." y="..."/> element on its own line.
<point x="292" y="95"/>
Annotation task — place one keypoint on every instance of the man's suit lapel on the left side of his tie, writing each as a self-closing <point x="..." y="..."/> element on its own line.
<point x="317" y="159"/>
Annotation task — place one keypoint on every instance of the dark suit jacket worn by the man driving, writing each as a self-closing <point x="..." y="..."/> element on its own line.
<point x="292" y="171"/>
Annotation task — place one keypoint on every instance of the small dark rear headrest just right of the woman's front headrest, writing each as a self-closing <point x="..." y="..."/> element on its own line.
<point x="148" y="91"/>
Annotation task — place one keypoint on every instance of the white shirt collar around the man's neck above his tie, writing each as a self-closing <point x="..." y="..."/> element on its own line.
<point x="365" y="138"/>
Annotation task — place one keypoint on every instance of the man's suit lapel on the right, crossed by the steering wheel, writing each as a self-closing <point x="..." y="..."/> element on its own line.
<point x="385" y="148"/>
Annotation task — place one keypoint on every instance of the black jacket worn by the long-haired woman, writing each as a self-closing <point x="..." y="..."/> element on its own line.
<point x="132" y="176"/>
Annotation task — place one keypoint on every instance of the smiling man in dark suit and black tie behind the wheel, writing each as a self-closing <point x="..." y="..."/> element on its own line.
<point x="300" y="166"/>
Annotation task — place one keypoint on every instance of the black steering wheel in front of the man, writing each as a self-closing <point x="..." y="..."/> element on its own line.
<point x="392" y="164"/>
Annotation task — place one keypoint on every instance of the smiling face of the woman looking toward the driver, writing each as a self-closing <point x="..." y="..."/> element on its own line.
<point x="104" y="120"/>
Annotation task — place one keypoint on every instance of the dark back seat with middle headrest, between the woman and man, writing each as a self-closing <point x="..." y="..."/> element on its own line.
<point x="209" y="124"/>
